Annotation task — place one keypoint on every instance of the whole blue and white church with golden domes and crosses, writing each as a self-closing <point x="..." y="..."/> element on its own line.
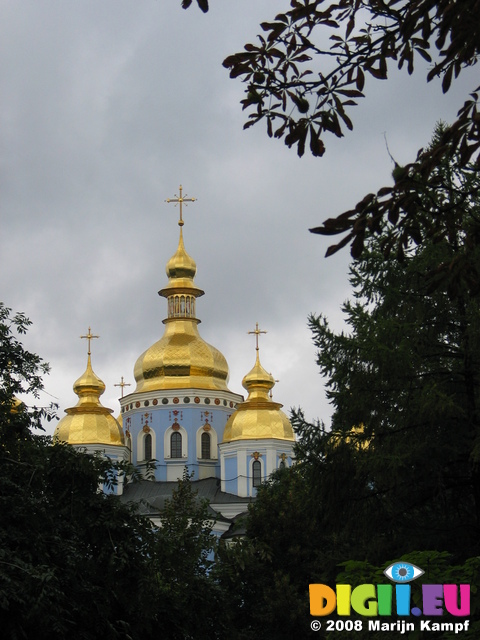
<point x="182" y="416"/>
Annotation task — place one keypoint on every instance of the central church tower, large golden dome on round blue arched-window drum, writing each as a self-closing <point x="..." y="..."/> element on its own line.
<point x="178" y="411"/>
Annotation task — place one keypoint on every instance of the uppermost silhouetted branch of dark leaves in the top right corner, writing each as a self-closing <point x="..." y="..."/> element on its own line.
<point x="391" y="32"/>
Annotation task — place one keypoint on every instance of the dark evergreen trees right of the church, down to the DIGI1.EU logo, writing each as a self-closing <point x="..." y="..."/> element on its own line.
<point x="397" y="474"/>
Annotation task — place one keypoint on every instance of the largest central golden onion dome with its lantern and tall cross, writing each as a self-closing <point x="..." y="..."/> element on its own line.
<point x="181" y="359"/>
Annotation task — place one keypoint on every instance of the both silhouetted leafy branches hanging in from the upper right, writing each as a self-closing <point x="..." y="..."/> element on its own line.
<point x="318" y="53"/>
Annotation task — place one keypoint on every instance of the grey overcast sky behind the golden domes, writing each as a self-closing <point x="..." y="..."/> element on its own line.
<point x="107" y="107"/>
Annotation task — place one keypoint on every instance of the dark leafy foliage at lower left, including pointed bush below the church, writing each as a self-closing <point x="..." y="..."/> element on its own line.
<point x="74" y="561"/>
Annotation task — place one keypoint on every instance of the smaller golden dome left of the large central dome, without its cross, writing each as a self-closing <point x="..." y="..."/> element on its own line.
<point x="89" y="422"/>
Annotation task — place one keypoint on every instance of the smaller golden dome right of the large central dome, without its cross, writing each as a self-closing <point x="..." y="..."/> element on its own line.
<point x="258" y="417"/>
